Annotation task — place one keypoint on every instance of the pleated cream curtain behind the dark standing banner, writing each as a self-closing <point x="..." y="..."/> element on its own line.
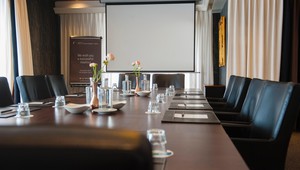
<point x="84" y="24"/>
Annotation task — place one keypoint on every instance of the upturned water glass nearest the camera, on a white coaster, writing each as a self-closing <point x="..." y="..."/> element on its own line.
<point x="157" y="138"/>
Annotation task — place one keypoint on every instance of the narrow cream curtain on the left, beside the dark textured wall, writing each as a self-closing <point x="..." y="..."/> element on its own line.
<point x="25" y="64"/>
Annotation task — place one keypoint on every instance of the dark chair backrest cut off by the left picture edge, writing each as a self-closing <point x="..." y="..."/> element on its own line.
<point x="5" y="94"/>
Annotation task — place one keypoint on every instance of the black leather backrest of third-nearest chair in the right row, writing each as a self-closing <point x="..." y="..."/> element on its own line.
<point x="238" y="93"/>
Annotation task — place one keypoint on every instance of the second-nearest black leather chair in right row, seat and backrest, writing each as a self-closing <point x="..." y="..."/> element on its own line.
<point x="247" y="111"/>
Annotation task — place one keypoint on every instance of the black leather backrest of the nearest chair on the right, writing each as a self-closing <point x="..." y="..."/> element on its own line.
<point x="276" y="103"/>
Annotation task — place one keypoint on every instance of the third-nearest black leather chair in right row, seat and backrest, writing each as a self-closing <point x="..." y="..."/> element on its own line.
<point x="235" y="98"/>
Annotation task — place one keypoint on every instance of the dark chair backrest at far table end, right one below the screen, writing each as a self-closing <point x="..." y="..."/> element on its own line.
<point x="165" y="80"/>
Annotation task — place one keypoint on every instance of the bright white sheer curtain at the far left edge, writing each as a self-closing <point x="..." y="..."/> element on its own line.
<point x="6" y="55"/>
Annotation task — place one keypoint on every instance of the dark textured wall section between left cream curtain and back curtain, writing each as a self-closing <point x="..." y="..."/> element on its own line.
<point x="44" y="34"/>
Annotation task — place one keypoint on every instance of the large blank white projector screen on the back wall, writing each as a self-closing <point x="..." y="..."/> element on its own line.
<point x="161" y="36"/>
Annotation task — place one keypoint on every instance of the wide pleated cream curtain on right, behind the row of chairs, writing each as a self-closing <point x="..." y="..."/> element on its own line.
<point x="254" y="38"/>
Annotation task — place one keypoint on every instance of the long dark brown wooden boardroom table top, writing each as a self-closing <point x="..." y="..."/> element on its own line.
<point x="195" y="146"/>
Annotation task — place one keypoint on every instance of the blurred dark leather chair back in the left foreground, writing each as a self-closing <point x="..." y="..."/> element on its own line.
<point x="73" y="147"/>
